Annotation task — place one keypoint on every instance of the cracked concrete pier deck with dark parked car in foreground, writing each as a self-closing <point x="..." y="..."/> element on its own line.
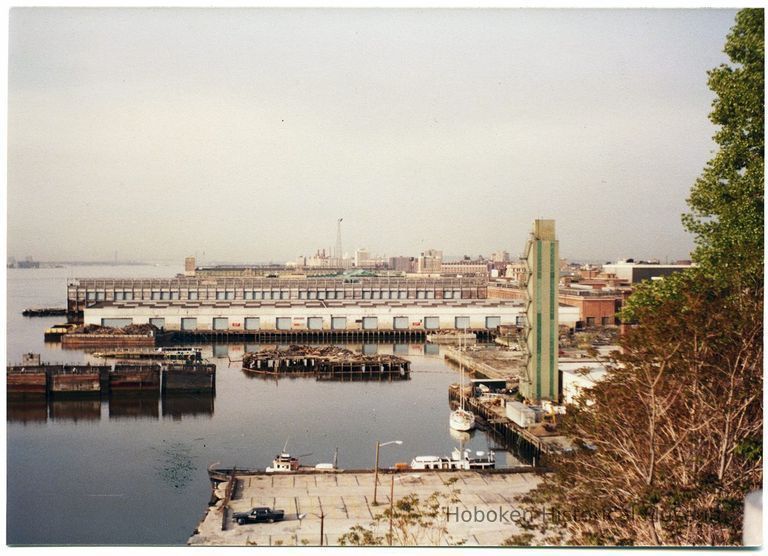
<point x="346" y="499"/>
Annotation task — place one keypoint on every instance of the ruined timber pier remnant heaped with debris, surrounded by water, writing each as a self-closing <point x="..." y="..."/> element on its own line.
<point x="327" y="363"/>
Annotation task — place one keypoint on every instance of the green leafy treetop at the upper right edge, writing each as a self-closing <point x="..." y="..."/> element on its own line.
<point x="727" y="200"/>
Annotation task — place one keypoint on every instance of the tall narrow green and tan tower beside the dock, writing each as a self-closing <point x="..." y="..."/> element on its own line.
<point x="541" y="381"/>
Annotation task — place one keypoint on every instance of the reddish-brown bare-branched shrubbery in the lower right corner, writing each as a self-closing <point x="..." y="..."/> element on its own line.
<point x="669" y="443"/>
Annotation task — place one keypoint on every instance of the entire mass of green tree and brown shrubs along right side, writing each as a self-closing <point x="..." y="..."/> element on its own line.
<point x="669" y="443"/>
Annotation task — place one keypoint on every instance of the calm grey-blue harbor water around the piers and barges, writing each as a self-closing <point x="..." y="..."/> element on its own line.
<point x="134" y="472"/>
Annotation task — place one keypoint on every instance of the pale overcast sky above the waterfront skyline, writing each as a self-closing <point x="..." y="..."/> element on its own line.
<point x="244" y="134"/>
